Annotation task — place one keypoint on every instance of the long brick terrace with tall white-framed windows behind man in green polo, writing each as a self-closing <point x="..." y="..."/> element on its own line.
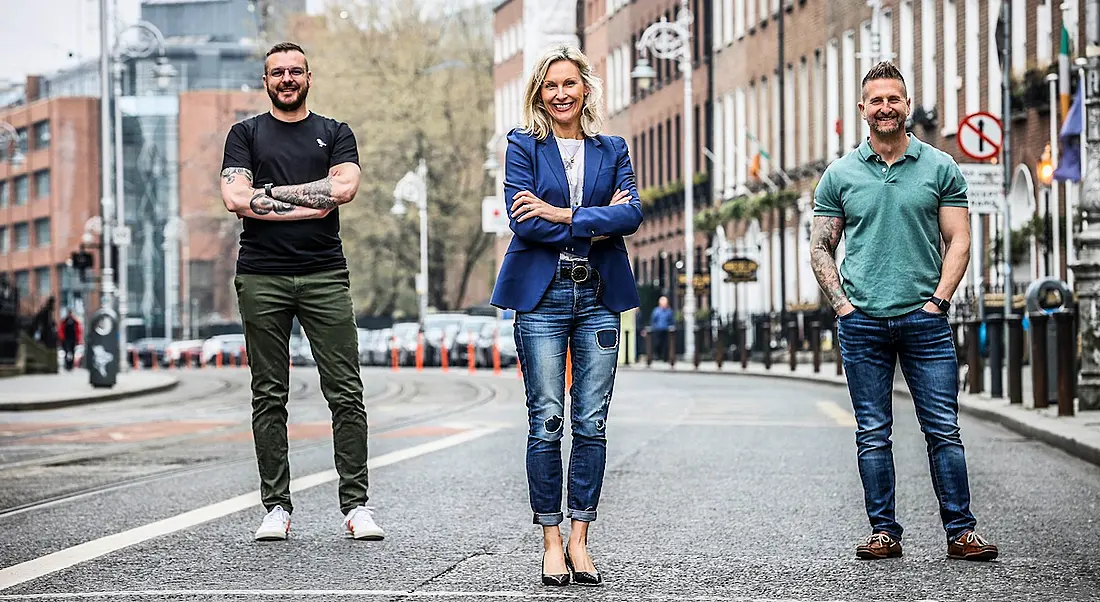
<point x="948" y="51"/>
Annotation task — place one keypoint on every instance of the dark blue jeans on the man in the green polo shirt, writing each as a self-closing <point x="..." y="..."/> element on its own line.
<point x="922" y="342"/>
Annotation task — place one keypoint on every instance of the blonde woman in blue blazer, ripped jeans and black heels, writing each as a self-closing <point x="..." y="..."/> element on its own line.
<point x="571" y="198"/>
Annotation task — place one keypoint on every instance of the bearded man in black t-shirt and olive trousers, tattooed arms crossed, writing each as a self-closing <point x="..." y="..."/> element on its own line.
<point x="285" y="173"/>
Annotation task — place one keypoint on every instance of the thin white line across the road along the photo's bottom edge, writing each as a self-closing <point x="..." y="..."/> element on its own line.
<point x="391" y="594"/>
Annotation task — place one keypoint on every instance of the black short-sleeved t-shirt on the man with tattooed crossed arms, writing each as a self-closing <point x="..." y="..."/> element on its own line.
<point x="284" y="154"/>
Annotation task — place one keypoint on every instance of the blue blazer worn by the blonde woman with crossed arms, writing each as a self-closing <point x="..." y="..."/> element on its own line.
<point x="532" y="260"/>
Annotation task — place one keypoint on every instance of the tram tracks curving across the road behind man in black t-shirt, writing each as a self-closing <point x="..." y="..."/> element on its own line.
<point x="481" y="393"/>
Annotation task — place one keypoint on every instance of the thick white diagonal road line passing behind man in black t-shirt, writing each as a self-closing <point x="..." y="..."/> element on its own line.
<point x="69" y="557"/>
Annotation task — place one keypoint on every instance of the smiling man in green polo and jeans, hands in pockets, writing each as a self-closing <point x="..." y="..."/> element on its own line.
<point x="895" y="199"/>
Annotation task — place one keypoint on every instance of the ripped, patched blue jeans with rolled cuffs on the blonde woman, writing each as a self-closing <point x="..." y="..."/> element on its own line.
<point x="568" y="314"/>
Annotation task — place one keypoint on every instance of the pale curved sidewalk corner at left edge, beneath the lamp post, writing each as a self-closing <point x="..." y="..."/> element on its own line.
<point x="69" y="389"/>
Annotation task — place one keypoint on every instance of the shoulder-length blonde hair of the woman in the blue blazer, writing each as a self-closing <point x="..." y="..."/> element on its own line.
<point x="537" y="121"/>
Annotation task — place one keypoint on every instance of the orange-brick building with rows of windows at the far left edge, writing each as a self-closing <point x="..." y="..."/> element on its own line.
<point x="49" y="189"/>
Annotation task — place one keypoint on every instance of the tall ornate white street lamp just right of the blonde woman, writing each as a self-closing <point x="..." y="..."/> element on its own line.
<point x="673" y="41"/>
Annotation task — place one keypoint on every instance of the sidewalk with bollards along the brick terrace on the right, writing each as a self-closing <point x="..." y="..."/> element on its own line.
<point x="1077" y="435"/>
